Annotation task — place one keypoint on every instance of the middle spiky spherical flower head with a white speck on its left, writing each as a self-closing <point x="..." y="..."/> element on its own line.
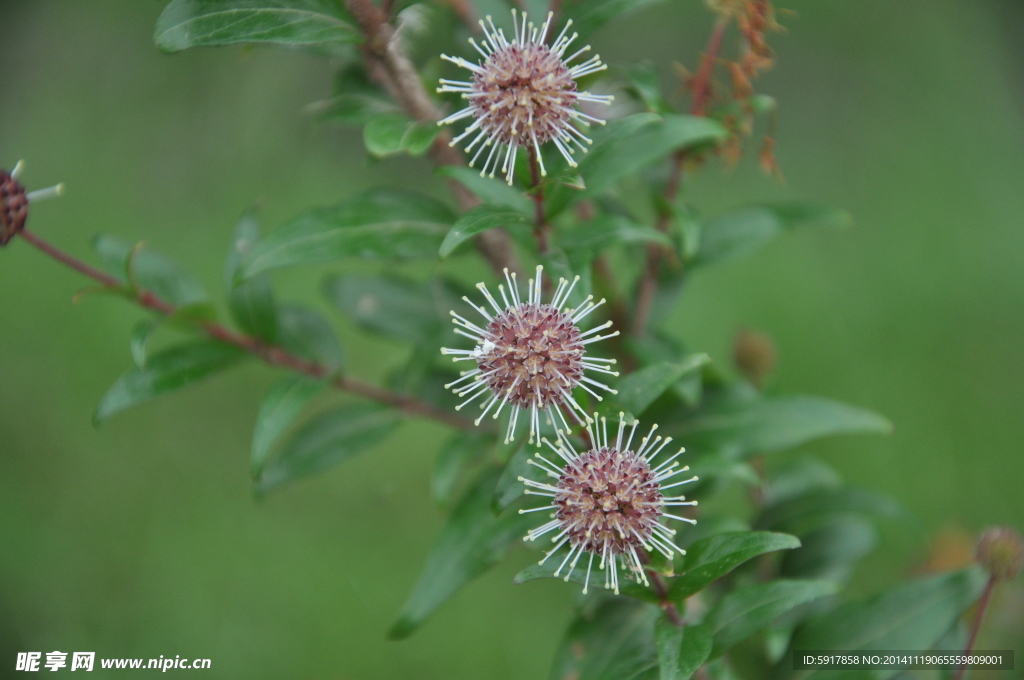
<point x="530" y="355"/>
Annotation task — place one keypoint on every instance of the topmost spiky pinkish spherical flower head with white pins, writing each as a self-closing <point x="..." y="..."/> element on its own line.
<point x="524" y="95"/>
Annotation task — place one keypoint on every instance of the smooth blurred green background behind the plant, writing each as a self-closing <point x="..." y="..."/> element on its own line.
<point x="143" y="539"/>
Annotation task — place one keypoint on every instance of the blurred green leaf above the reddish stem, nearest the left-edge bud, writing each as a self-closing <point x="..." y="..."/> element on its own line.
<point x="151" y="272"/>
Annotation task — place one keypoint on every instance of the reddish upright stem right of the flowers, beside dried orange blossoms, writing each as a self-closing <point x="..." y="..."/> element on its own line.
<point x="648" y="287"/>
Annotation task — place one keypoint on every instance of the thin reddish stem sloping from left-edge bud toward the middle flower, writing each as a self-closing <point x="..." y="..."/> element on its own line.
<point x="270" y="354"/>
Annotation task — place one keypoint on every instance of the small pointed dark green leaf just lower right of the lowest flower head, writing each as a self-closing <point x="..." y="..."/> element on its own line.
<point x="711" y="559"/>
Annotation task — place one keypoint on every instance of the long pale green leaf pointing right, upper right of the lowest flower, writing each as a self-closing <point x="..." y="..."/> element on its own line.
<point x="766" y="426"/>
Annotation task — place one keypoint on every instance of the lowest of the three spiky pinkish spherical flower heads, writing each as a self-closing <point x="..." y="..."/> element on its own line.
<point x="609" y="502"/>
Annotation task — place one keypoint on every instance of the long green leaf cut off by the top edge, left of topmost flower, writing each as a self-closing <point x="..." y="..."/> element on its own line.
<point x="186" y="24"/>
